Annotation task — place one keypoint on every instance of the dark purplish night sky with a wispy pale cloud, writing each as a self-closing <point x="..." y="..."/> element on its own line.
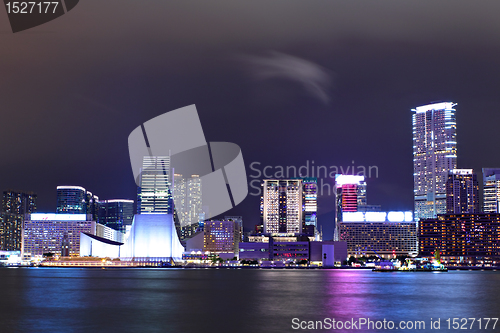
<point x="288" y="81"/>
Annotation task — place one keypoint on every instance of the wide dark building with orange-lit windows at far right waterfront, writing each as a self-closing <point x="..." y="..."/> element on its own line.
<point x="461" y="238"/>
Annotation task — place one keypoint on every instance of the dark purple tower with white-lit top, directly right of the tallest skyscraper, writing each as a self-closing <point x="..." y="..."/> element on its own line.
<point x="462" y="192"/>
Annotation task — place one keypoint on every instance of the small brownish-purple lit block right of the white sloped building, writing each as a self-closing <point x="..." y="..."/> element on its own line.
<point x="221" y="237"/>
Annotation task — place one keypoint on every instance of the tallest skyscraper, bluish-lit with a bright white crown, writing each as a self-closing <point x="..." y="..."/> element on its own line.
<point x="434" y="156"/>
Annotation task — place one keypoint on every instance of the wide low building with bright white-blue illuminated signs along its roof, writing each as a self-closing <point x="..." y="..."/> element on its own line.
<point x="379" y="233"/>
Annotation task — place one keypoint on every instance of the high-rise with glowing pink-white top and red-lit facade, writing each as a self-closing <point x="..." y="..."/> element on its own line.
<point x="350" y="194"/>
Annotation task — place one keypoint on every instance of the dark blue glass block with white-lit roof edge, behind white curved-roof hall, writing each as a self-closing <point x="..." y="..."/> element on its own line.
<point x="116" y="214"/>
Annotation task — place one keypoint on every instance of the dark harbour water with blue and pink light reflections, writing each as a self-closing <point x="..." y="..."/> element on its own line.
<point x="237" y="300"/>
